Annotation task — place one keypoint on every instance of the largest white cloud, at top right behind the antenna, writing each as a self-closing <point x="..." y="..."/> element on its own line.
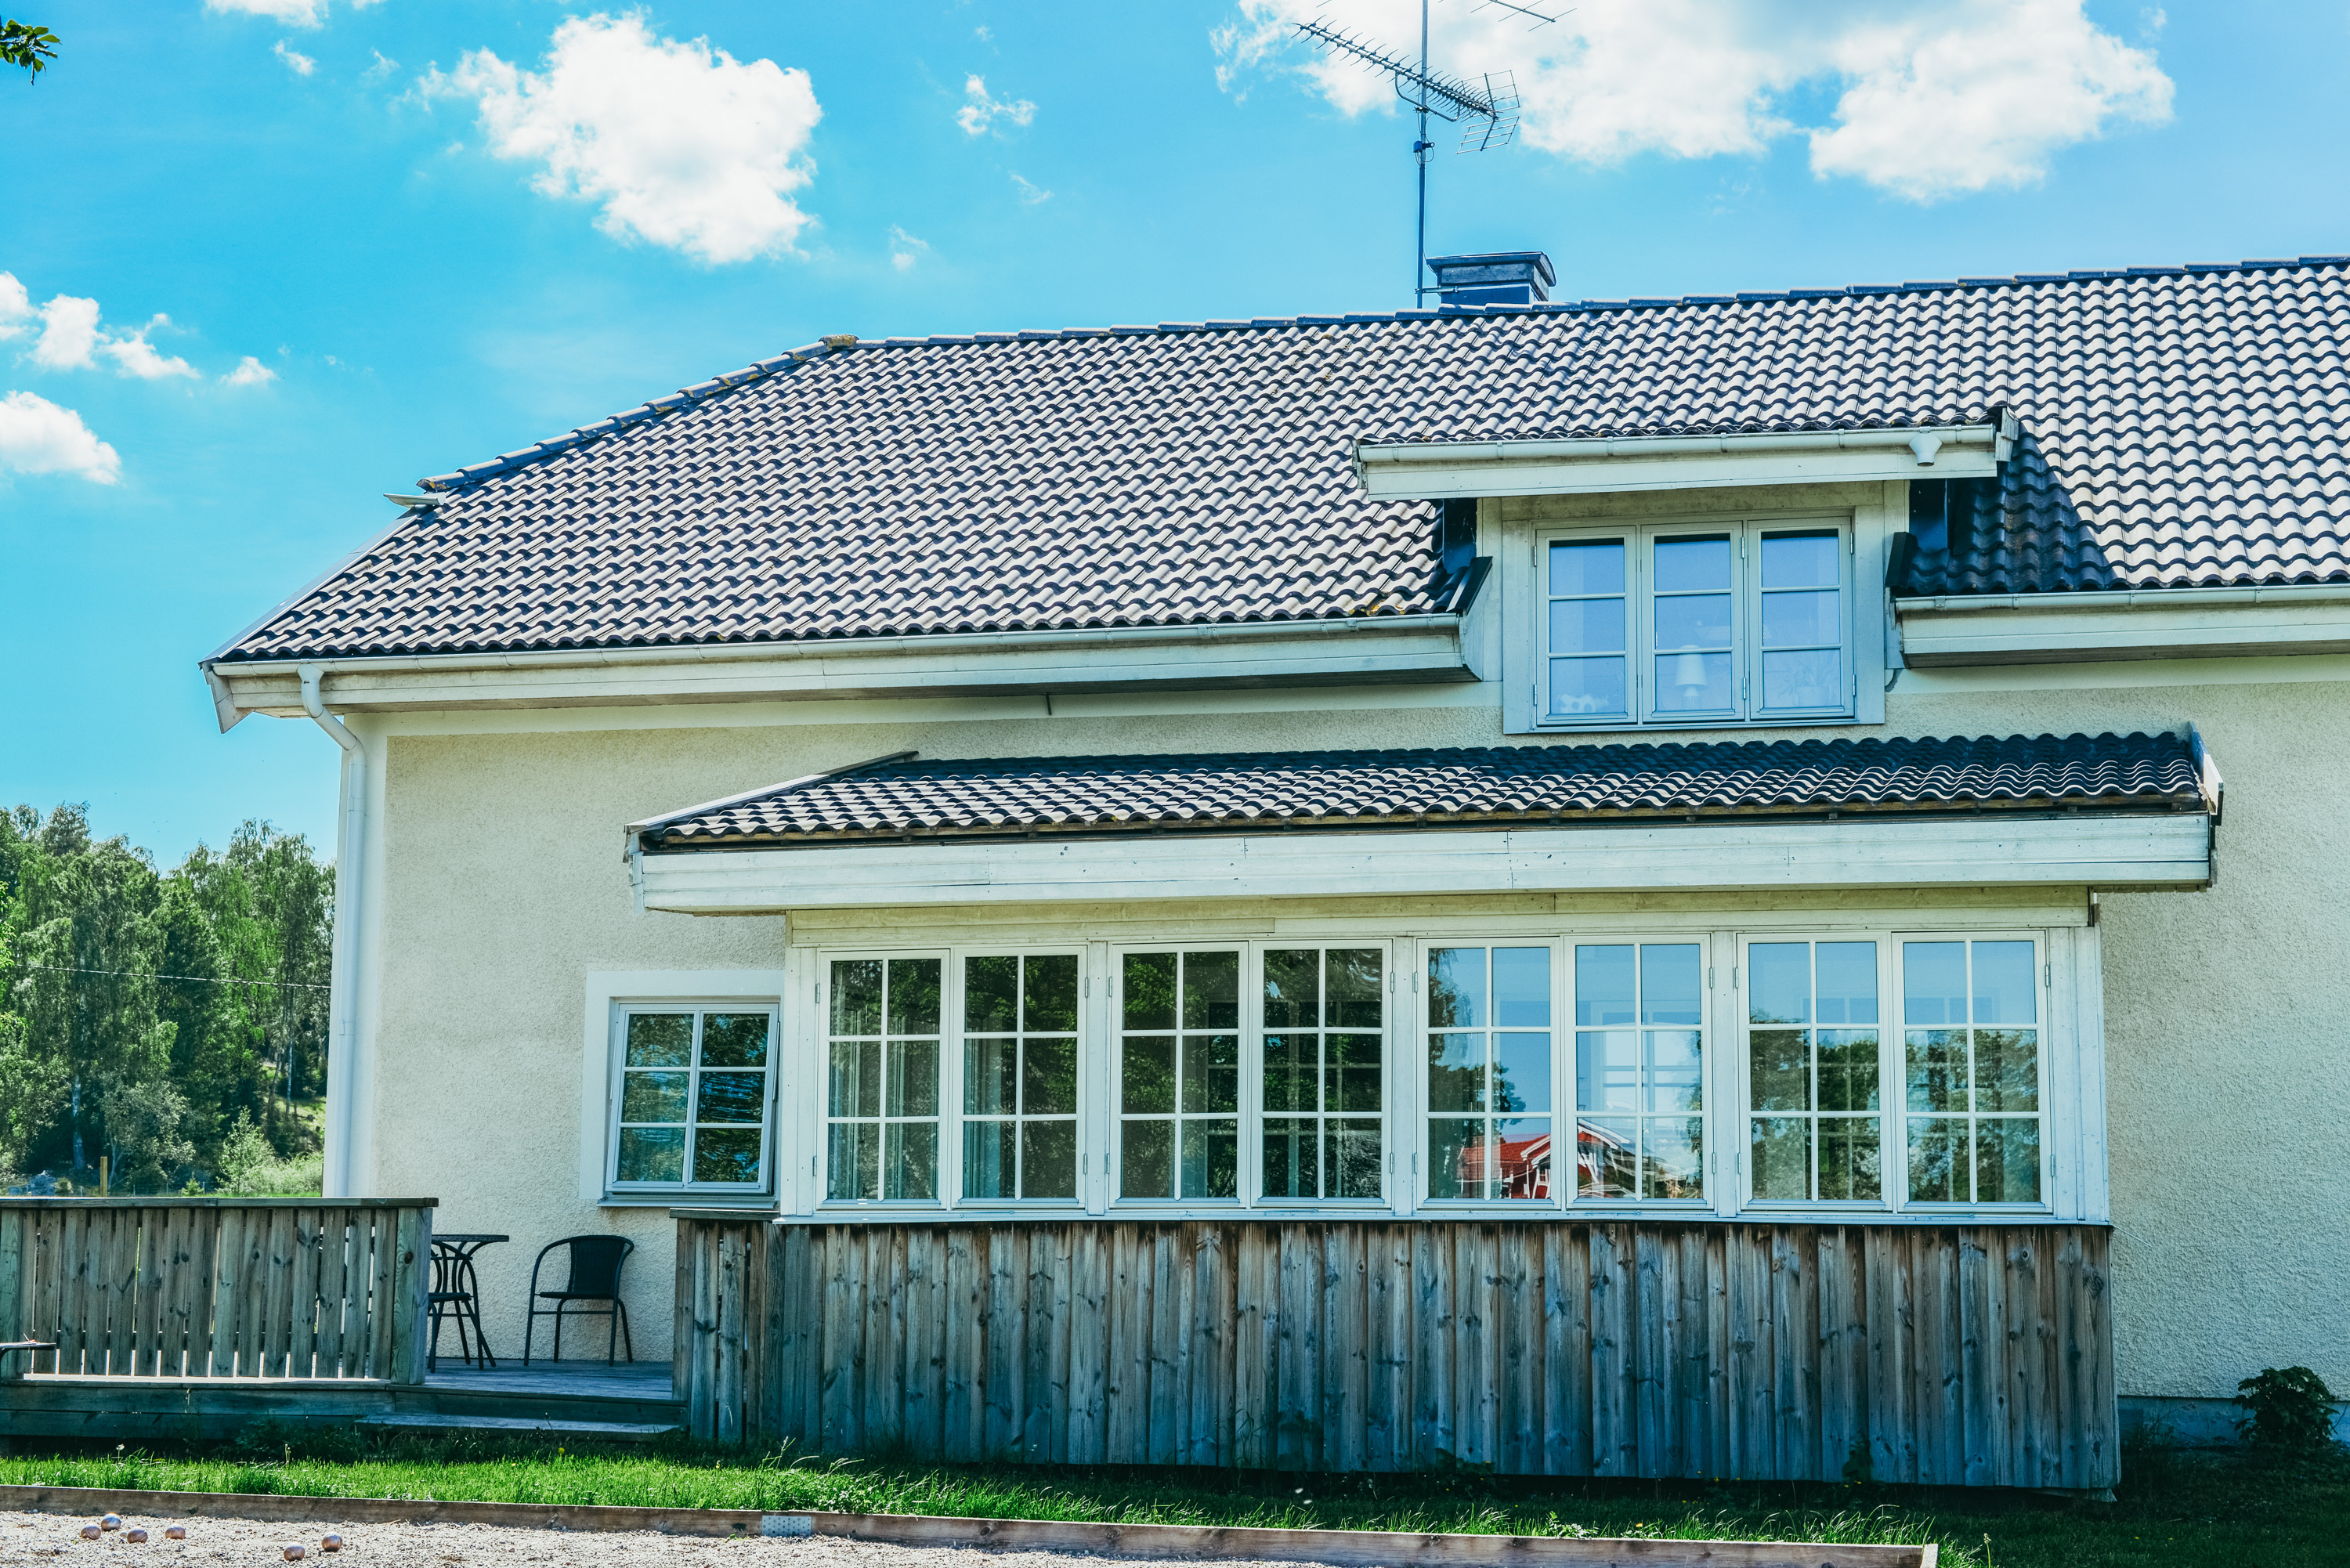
<point x="1933" y="100"/>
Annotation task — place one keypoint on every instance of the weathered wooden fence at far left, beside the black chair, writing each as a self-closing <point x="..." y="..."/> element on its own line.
<point x="217" y="1287"/>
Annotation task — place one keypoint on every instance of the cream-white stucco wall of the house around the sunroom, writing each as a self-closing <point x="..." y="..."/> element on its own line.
<point x="504" y="887"/>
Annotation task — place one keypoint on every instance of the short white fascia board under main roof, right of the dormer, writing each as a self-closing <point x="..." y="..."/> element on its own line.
<point x="2116" y="626"/>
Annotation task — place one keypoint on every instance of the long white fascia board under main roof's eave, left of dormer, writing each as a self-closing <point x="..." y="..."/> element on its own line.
<point x="1120" y="659"/>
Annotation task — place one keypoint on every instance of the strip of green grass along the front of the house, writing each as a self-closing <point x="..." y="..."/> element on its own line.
<point x="2173" y="1510"/>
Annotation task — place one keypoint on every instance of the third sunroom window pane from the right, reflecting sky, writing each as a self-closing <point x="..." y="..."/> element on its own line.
<point x="1639" y="1071"/>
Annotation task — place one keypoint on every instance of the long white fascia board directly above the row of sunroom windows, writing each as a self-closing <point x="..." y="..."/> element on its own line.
<point x="2151" y="852"/>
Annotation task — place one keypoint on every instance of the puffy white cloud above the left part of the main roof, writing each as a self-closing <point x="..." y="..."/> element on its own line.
<point x="683" y="145"/>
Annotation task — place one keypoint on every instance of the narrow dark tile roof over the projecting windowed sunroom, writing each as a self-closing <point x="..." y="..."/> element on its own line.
<point x="1437" y="789"/>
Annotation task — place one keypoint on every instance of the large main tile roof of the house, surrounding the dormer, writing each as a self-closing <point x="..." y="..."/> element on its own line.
<point x="2182" y="427"/>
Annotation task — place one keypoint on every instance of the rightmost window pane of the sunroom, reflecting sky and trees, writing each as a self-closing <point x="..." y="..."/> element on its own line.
<point x="1970" y="1066"/>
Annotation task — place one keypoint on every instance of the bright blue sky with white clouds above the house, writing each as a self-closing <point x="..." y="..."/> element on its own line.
<point x="396" y="239"/>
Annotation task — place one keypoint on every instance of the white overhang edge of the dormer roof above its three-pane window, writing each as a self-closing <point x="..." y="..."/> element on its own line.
<point x="1437" y="471"/>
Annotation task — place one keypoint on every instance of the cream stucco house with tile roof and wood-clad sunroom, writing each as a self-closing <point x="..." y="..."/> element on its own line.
<point x="1251" y="784"/>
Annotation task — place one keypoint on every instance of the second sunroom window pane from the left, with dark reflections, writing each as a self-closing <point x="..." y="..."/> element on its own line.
<point x="1021" y="1078"/>
